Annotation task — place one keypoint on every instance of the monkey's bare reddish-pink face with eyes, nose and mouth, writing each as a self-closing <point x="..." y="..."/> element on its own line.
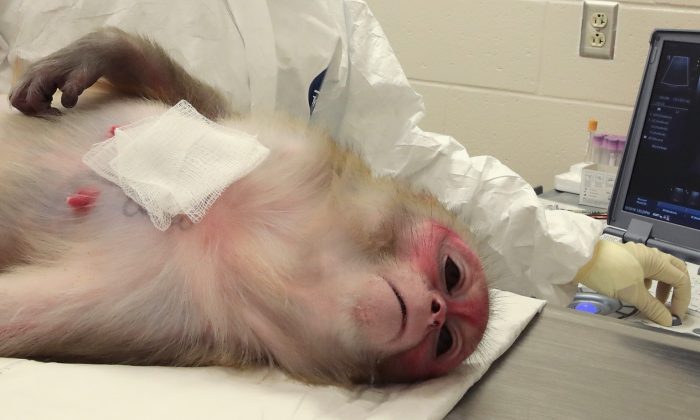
<point x="428" y="311"/>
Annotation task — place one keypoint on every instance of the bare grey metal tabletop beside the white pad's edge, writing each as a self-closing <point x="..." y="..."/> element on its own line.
<point x="570" y="365"/>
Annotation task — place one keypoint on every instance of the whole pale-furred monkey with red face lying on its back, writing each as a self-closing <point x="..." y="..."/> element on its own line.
<point x="308" y="263"/>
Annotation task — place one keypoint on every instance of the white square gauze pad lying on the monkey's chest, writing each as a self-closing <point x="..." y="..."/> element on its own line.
<point x="175" y="163"/>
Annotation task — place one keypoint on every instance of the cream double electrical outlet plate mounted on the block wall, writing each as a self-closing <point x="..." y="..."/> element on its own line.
<point x="598" y="29"/>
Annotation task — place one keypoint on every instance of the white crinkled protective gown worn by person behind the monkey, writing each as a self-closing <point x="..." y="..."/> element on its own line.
<point x="329" y="62"/>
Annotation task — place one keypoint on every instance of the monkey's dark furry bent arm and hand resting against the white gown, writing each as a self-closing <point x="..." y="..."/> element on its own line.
<point x="133" y="65"/>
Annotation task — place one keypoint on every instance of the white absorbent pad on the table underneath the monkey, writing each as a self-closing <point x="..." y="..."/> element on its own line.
<point x="35" y="390"/>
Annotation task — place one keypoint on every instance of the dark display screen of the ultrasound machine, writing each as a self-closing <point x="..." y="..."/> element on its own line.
<point x="665" y="181"/>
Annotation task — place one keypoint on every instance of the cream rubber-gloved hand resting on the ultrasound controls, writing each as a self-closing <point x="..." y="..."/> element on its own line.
<point x="625" y="271"/>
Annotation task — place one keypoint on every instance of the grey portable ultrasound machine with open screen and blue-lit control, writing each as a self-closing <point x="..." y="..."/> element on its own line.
<point x="656" y="199"/>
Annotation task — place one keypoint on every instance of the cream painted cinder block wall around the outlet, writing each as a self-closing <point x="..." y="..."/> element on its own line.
<point x="504" y="77"/>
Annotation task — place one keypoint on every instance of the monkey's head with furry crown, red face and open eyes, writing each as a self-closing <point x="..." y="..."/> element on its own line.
<point x="409" y="293"/>
